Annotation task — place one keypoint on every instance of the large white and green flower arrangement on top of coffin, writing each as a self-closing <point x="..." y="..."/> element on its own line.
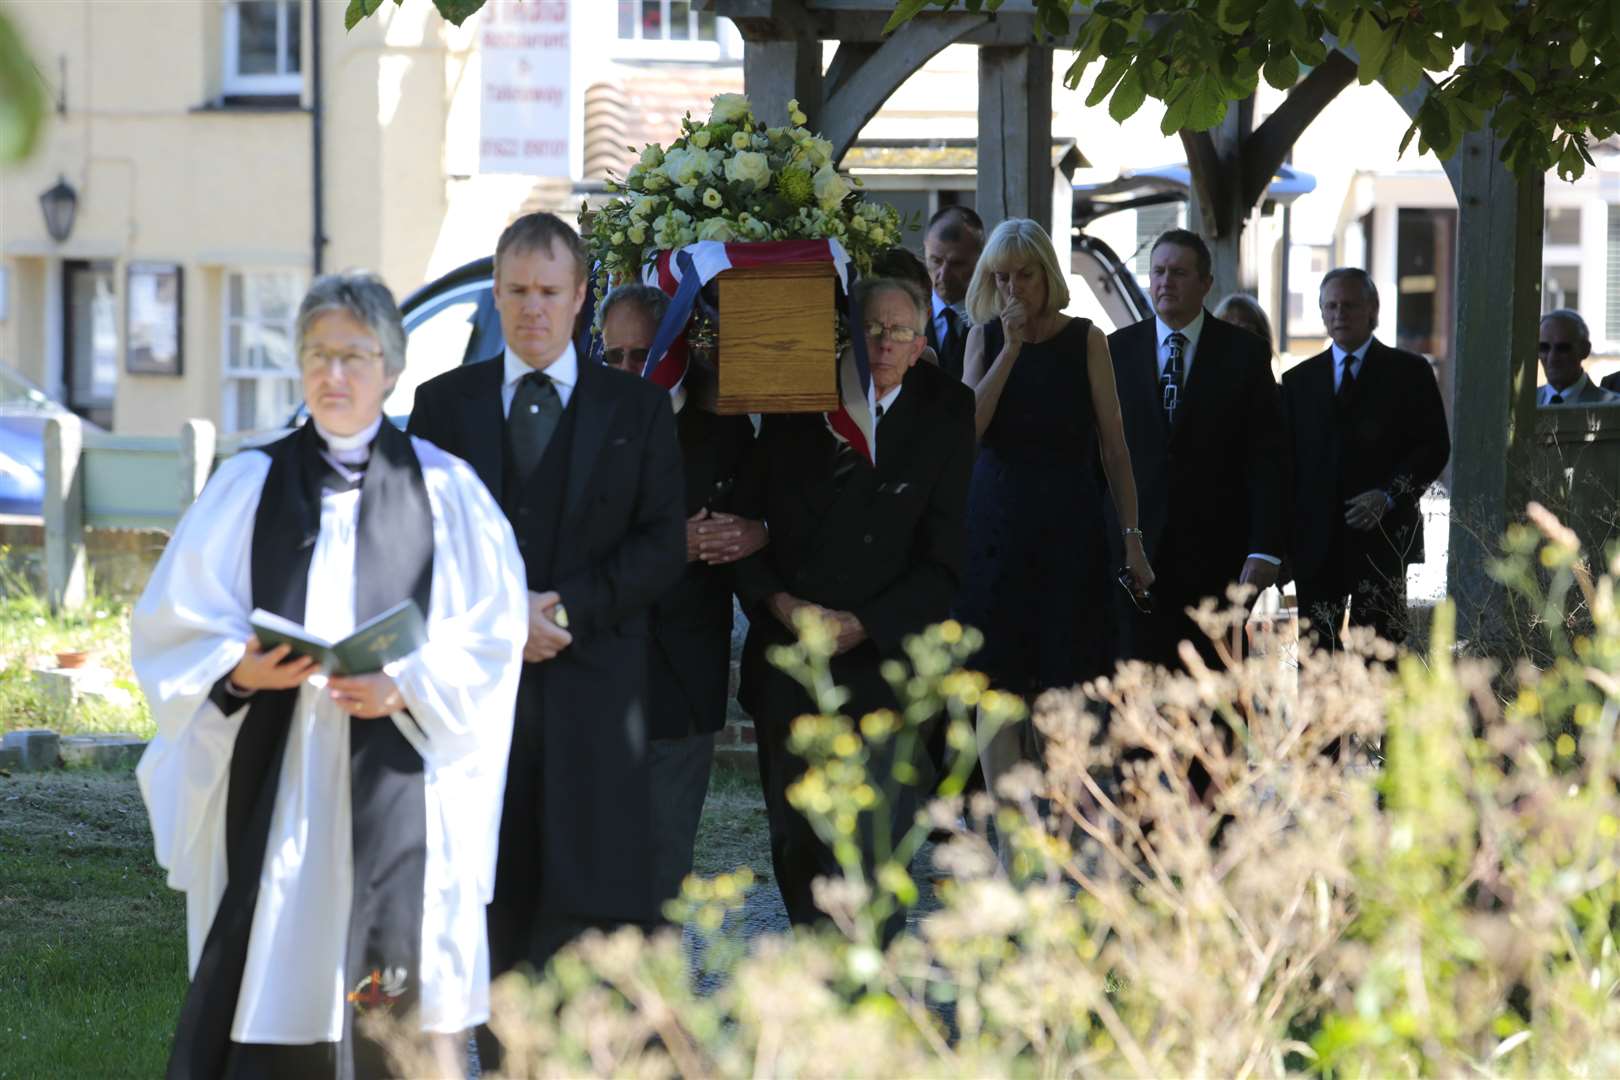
<point x="731" y="179"/>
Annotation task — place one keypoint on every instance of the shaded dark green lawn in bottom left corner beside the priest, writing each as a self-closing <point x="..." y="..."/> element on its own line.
<point x="93" y="942"/>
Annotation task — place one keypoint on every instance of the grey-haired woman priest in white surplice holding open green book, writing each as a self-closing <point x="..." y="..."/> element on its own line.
<point x="335" y="838"/>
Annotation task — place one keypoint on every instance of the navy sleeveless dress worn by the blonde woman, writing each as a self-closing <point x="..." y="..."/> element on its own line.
<point x="1038" y="563"/>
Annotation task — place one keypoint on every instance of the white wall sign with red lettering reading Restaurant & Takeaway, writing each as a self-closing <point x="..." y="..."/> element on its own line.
<point x="527" y="109"/>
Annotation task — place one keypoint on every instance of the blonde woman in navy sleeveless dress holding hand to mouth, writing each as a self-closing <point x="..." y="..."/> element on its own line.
<point x="1039" y="584"/>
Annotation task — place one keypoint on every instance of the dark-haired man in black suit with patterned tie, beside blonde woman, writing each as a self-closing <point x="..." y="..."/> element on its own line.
<point x="1206" y="432"/>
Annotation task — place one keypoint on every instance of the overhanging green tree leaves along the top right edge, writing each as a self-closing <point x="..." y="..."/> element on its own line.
<point x="1546" y="77"/>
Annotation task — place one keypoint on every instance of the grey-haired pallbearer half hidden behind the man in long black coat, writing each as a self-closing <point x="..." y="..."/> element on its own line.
<point x="689" y="666"/>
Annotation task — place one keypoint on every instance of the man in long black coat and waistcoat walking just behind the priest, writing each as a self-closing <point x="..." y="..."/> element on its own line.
<point x="587" y="469"/>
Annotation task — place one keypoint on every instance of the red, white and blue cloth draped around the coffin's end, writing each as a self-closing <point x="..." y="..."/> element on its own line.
<point x="684" y="273"/>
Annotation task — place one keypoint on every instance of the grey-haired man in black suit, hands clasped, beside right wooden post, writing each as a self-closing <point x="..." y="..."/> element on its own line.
<point x="1368" y="436"/>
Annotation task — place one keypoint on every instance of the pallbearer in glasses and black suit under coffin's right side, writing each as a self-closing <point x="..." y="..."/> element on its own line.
<point x="879" y="551"/>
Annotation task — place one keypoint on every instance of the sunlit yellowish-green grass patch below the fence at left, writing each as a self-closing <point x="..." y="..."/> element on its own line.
<point x="30" y="637"/>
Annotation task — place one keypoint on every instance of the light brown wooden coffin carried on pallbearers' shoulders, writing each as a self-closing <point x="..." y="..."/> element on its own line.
<point x="777" y="351"/>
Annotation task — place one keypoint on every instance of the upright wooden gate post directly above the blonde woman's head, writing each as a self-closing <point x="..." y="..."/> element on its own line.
<point x="1015" y="135"/>
